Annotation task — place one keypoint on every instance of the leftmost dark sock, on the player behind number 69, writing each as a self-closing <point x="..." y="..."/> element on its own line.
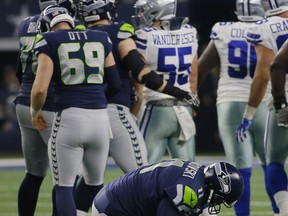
<point x="28" y="194"/>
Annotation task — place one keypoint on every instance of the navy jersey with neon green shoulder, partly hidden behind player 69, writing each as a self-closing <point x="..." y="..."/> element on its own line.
<point x="118" y="32"/>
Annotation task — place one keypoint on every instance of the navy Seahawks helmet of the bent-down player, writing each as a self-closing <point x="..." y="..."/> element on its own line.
<point x="223" y="184"/>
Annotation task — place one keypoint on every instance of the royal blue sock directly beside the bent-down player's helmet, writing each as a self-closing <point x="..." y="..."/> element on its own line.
<point x="242" y="206"/>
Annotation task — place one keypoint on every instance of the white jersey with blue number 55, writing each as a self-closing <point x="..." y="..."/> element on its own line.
<point x="170" y="54"/>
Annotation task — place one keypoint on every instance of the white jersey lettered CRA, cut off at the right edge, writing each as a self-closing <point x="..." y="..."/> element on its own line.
<point x="271" y="33"/>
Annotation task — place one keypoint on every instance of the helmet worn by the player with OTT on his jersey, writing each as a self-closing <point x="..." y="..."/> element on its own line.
<point x="53" y="15"/>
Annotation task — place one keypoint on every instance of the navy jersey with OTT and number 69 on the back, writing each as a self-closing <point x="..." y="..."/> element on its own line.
<point x="79" y="58"/>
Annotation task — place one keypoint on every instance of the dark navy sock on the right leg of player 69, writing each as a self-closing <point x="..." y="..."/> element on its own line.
<point x="85" y="194"/>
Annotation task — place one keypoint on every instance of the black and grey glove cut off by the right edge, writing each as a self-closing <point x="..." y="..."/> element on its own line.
<point x="281" y="107"/>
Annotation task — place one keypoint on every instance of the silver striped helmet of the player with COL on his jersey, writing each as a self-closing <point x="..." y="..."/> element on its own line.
<point x="249" y="10"/>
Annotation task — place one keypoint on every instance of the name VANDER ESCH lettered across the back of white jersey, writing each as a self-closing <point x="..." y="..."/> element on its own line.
<point x="173" y="39"/>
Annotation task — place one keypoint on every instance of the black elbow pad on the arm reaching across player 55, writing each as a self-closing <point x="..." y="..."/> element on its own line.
<point x="133" y="61"/>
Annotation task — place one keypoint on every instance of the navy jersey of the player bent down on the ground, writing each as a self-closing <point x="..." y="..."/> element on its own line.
<point x="139" y="192"/>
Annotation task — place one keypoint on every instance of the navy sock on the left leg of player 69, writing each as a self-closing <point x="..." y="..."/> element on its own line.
<point x="65" y="201"/>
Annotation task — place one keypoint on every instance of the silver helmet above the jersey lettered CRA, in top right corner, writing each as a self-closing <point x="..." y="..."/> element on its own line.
<point x="274" y="7"/>
